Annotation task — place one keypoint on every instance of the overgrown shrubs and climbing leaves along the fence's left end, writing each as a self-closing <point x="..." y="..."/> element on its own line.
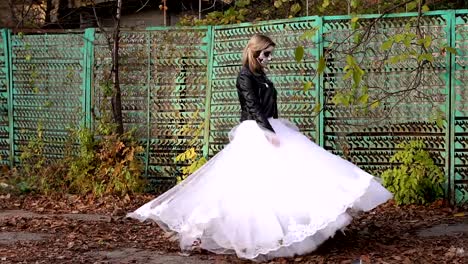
<point x="99" y="161"/>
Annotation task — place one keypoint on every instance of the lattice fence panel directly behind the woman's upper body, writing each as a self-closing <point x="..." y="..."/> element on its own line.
<point x="287" y="75"/>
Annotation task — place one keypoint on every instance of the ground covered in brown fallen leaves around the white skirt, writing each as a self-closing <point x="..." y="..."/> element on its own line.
<point x="69" y="229"/>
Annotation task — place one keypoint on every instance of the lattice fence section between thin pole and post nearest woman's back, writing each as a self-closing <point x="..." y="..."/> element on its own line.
<point x="179" y="80"/>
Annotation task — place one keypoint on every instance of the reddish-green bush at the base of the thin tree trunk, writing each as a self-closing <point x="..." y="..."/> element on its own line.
<point x="109" y="165"/>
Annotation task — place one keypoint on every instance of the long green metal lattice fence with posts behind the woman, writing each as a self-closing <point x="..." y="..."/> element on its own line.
<point x="179" y="84"/>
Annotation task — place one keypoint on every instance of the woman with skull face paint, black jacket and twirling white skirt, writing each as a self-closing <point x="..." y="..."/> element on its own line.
<point x="270" y="192"/>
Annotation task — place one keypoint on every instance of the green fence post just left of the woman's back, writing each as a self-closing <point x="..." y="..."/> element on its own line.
<point x="210" y="51"/>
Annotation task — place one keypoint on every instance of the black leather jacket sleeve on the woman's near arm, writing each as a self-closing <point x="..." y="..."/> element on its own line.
<point x="252" y="102"/>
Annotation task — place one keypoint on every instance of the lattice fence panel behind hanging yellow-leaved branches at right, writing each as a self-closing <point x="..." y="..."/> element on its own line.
<point x="370" y="140"/>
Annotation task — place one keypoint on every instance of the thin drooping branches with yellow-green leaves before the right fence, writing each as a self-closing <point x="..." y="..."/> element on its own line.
<point x="411" y="45"/>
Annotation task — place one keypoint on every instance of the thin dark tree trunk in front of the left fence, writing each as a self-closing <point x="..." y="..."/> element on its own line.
<point x="117" y="95"/>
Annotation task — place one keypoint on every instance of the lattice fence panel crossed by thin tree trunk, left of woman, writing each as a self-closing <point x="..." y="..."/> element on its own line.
<point x="163" y="83"/>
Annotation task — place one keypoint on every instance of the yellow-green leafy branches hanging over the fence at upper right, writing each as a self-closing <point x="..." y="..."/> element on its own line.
<point x="410" y="46"/>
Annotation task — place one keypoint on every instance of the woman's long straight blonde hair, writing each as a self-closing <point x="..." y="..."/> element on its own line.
<point x="256" y="44"/>
